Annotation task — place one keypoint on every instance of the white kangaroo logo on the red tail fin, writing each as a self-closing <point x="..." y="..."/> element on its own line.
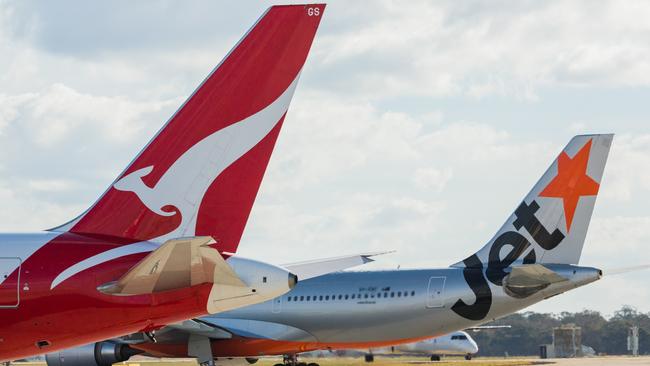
<point x="186" y="181"/>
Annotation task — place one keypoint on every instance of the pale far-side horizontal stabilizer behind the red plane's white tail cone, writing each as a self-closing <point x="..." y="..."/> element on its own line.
<point x="319" y="267"/>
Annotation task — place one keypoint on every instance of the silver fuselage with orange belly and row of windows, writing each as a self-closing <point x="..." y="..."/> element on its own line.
<point x="367" y="309"/>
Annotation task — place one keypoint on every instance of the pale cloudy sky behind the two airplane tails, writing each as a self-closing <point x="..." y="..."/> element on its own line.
<point x="417" y="126"/>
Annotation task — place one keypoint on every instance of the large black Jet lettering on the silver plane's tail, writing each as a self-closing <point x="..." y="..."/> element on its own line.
<point x="495" y="272"/>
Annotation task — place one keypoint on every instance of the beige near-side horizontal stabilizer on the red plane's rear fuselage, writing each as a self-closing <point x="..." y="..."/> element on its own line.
<point x="178" y="263"/>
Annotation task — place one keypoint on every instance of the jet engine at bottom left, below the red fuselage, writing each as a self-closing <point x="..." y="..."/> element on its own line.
<point x="94" y="354"/>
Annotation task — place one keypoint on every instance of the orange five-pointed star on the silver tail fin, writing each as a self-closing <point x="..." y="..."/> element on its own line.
<point x="572" y="182"/>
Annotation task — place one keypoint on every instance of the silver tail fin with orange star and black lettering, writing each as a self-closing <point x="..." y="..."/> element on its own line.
<point x="550" y="224"/>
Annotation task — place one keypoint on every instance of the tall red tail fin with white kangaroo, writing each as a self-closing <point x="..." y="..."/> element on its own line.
<point x="200" y="174"/>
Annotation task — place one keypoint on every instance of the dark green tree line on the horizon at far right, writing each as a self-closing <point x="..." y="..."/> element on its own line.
<point x="529" y="330"/>
